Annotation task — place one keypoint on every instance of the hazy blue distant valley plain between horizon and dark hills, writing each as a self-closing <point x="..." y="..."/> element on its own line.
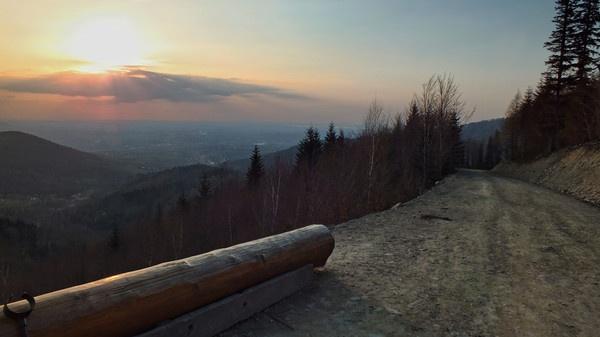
<point x="151" y="146"/>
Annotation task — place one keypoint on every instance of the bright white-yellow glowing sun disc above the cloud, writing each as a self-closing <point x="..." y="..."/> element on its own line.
<point x="105" y="44"/>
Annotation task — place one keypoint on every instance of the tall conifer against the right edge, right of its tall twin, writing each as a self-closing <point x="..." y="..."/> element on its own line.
<point x="587" y="39"/>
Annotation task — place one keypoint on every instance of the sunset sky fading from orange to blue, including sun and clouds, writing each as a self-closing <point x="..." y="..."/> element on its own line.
<point x="261" y="60"/>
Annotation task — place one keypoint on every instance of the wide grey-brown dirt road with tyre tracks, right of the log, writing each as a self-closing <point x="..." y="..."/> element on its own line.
<point x="478" y="255"/>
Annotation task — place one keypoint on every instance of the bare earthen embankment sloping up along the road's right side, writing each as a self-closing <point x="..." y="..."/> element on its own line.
<point x="574" y="171"/>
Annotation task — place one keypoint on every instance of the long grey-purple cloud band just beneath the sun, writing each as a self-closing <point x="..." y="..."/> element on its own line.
<point x="134" y="84"/>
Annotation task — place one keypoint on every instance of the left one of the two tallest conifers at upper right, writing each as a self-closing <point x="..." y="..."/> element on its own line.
<point x="561" y="45"/>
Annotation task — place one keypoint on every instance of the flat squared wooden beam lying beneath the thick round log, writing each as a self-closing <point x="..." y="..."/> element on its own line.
<point x="221" y="315"/>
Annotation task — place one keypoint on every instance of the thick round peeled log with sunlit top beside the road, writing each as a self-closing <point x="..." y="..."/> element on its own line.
<point x="130" y="303"/>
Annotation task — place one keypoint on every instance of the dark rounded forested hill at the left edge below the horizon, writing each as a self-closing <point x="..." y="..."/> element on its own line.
<point x="34" y="166"/>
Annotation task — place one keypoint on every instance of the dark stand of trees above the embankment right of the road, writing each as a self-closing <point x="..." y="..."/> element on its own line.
<point x="564" y="108"/>
